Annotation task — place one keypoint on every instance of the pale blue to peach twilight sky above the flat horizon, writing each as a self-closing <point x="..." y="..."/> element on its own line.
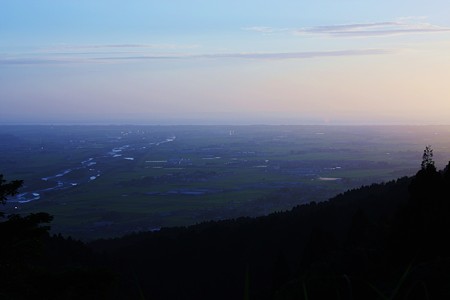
<point x="225" y="62"/>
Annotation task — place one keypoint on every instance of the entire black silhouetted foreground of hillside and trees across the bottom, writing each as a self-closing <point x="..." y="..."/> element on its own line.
<point x="384" y="241"/>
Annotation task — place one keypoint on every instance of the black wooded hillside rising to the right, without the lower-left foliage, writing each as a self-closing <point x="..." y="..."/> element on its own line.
<point x="384" y="240"/>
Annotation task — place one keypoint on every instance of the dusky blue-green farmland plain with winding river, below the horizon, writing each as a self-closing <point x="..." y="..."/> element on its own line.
<point x="105" y="181"/>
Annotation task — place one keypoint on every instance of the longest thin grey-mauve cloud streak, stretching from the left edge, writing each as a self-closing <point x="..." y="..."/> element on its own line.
<point x="246" y="55"/>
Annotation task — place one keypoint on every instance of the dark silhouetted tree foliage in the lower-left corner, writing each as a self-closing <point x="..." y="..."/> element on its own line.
<point x="35" y="265"/>
